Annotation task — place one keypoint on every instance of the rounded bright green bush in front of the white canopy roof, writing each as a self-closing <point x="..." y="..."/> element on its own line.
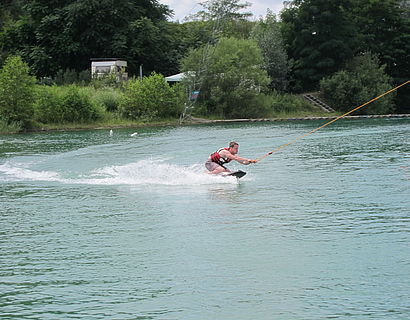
<point x="150" y="98"/>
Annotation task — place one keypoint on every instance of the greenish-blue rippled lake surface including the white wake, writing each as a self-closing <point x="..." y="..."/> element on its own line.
<point x="94" y="226"/>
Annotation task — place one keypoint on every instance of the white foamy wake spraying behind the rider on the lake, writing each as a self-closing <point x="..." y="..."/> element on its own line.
<point x="143" y="172"/>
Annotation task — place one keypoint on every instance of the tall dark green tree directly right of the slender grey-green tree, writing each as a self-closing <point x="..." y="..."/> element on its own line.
<point x="319" y="38"/>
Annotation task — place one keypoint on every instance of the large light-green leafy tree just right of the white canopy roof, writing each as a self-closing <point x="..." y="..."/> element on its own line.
<point x="234" y="81"/>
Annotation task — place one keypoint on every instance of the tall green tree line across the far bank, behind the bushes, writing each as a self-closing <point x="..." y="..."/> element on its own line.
<point x="312" y="45"/>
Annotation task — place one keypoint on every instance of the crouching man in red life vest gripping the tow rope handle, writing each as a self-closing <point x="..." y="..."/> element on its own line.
<point x="217" y="160"/>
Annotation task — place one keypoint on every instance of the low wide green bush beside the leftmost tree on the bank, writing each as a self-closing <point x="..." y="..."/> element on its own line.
<point x="66" y="104"/>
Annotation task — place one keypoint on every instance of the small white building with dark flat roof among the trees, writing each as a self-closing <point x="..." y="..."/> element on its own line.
<point x="102" y="67"/>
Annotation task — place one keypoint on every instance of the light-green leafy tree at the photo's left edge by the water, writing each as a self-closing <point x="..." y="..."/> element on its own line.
<point x="17" y="89"/>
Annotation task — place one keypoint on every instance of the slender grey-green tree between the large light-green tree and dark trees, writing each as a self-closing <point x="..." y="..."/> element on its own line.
<point x="267" y="34"/>
